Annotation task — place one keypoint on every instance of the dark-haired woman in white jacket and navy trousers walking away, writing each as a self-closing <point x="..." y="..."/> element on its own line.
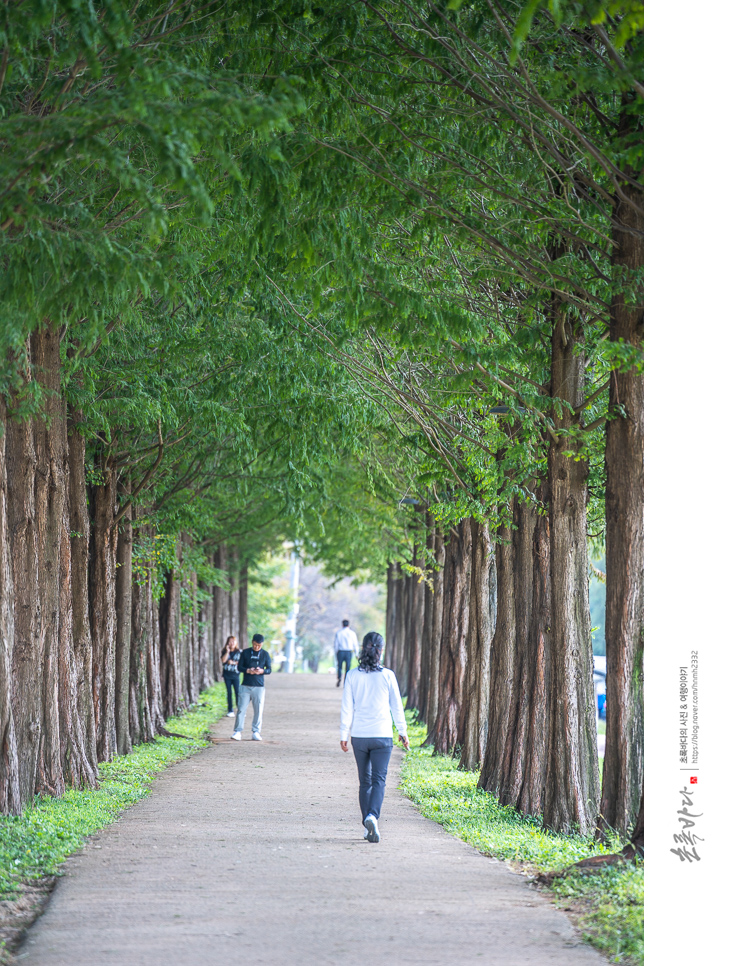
<point x="369" y="700"/>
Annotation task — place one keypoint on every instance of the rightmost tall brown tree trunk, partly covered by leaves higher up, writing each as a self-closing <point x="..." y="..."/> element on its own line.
<point x="623" y="763"/>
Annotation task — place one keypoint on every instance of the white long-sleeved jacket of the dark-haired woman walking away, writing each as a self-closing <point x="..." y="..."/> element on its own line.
<point x="368" y="701"/>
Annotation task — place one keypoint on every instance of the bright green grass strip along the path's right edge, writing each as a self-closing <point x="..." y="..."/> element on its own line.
<point x="607" y="906"/>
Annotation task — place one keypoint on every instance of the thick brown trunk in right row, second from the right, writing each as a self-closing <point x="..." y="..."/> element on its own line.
<point x="572" y="783"/>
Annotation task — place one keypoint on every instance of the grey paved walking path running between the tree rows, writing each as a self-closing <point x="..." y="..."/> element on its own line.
<point x="252" y="853"/>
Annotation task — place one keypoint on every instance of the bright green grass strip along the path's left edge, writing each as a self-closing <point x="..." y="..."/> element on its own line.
<point x="34" y="844"/>
